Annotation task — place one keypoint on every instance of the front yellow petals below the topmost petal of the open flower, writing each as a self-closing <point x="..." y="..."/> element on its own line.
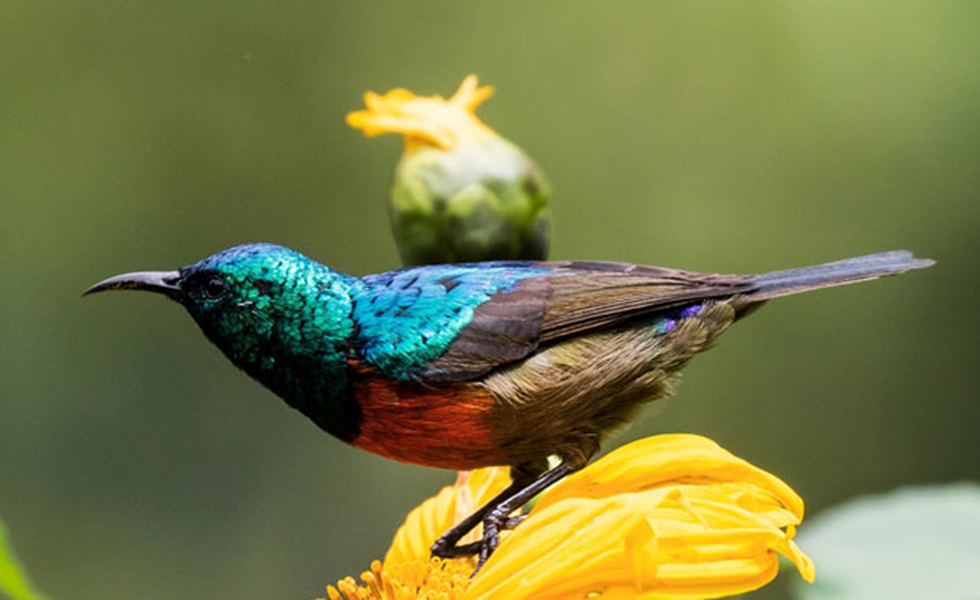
<point x="636" y="542"/>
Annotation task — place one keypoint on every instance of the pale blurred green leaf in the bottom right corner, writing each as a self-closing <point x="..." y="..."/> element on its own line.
<point x="916" y="542"/>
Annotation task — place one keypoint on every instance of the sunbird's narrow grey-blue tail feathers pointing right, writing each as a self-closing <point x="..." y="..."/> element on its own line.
<point x="851" y="270"/>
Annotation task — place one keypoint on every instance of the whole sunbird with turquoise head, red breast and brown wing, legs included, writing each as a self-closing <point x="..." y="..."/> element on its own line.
<point x="461" y="366"/>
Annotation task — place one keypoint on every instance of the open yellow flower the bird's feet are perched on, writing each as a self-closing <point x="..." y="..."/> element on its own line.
<point x="671" y="516"/>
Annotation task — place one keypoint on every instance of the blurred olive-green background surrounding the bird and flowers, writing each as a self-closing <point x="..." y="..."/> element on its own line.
<point x="737" y="137"/>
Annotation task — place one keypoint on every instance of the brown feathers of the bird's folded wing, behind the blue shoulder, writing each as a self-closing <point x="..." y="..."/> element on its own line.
<point x="572" y="299"/>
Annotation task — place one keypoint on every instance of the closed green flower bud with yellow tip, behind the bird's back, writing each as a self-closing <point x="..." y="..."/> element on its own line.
<point x="461" y="192"/>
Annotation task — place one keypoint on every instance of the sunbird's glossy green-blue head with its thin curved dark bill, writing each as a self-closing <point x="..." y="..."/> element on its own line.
<point x="249" y="300"/>
